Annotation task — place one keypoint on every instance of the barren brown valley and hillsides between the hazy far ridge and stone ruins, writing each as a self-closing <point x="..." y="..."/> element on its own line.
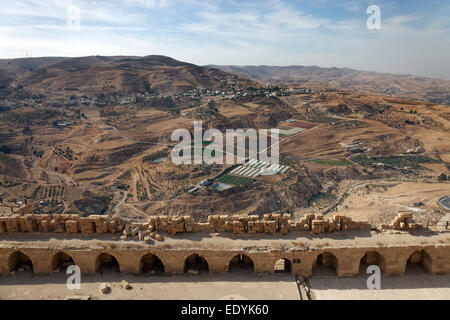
<point x="93" y="136"/>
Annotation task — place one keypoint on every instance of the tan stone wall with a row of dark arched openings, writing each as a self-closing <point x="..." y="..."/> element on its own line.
<point x="346" y="261"/>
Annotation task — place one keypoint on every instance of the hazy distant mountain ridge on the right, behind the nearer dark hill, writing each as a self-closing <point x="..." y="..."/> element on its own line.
<point x="403" y="86"/>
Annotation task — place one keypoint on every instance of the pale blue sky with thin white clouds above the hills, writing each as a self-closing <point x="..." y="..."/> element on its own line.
<point x="414" y="35"/>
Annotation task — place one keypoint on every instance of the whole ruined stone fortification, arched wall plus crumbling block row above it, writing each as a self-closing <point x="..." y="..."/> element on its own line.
<point x="141" y="257"/>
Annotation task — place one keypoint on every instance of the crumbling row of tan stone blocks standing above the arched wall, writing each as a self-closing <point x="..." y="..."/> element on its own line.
<point x="236" y="224"/>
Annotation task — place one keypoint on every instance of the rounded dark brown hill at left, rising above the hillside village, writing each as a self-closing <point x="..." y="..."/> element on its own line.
<point x="97" y="74"/>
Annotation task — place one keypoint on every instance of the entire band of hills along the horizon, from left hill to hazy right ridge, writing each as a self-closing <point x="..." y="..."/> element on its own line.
<point x="97" y="74"/>
